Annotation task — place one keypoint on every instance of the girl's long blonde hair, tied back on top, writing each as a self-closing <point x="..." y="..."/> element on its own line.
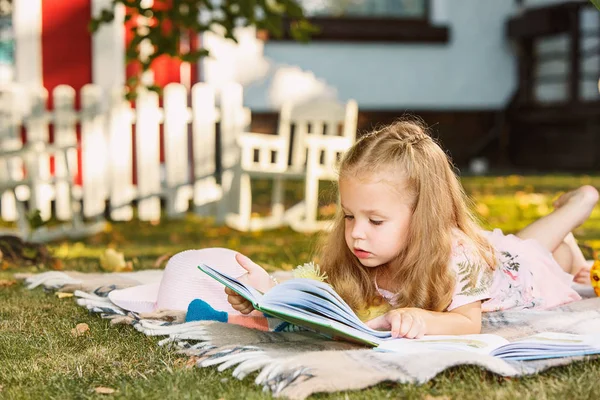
<point x="420" y="275"/>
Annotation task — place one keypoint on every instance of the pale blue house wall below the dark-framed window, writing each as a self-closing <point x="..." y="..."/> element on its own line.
<point x="476" y="69"/>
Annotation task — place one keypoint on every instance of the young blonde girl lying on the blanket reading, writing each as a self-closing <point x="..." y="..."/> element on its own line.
<point x="404" y="238"/>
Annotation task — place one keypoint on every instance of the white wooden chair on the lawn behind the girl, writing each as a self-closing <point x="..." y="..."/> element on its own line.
<point x="307" y="144"/>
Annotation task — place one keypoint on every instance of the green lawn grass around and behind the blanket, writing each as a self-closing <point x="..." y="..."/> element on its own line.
<point x="39" y="358"/>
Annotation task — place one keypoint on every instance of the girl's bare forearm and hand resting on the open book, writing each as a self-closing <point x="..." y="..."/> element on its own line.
<point x="416" y="322"/>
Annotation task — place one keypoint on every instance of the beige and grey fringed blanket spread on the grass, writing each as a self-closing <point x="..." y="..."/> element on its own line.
<point x="298" y="364"/>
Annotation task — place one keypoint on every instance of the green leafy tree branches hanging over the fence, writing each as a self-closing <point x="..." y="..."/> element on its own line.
<point x="160" y="30"/>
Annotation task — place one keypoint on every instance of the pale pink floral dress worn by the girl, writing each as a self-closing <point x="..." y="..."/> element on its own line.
<point x="526" y="275"/>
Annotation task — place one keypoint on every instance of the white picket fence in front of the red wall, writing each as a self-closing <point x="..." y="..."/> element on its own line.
<point x="106" y="123"/>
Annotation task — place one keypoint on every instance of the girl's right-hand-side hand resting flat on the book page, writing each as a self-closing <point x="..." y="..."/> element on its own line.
<point x="403" y="322"/>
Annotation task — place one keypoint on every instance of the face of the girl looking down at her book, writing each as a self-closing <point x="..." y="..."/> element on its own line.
<point x="378" y="212"/>
